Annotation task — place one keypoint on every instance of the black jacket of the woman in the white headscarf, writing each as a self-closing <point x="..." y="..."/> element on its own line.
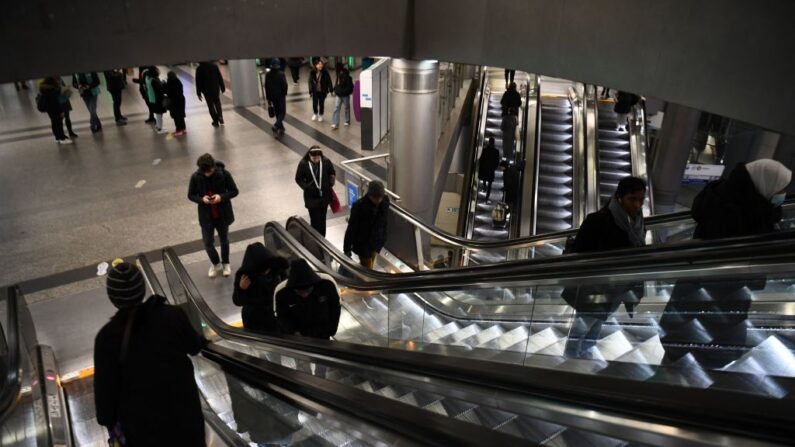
<point x="732" y="207"/>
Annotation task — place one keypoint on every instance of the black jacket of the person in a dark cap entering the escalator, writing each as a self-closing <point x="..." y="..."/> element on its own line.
<point x="367" y="227"/>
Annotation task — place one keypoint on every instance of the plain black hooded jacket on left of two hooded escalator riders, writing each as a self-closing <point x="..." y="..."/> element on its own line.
<point x="257" y="301"/>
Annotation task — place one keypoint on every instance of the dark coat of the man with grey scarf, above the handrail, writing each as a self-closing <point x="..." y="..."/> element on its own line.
<point x="600" y="232"/>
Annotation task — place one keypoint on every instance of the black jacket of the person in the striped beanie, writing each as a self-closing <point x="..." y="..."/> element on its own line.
<point x="153" y="394"/>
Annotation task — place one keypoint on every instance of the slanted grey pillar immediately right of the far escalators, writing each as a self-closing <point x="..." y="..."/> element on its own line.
<point x="675" y="142"/>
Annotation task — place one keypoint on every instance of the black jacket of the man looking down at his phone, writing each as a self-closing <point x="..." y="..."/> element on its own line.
<point x="222" y="183"/>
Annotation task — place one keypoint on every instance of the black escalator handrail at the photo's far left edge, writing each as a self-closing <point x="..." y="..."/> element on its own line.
<point x="12" y="382"/>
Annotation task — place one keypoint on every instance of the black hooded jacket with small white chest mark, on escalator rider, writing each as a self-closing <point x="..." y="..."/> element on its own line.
<point x="316" y="315"/>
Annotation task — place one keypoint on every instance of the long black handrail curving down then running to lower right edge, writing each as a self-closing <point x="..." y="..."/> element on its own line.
<point x="703" y="408"/>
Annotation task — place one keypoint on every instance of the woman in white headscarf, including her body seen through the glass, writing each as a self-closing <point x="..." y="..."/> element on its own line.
<point x="747" y="202"/>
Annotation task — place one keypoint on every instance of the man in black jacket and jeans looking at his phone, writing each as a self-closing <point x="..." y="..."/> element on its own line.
<point x="212" y="188"/>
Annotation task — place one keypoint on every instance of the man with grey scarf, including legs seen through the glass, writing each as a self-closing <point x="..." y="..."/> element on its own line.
<point x="618" y="225"/>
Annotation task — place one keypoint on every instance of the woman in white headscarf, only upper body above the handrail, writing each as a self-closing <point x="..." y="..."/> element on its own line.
<point x="745" y="203"/>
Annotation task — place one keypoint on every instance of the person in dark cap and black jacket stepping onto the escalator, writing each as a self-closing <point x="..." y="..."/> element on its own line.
<point x="367" y="227"/>
